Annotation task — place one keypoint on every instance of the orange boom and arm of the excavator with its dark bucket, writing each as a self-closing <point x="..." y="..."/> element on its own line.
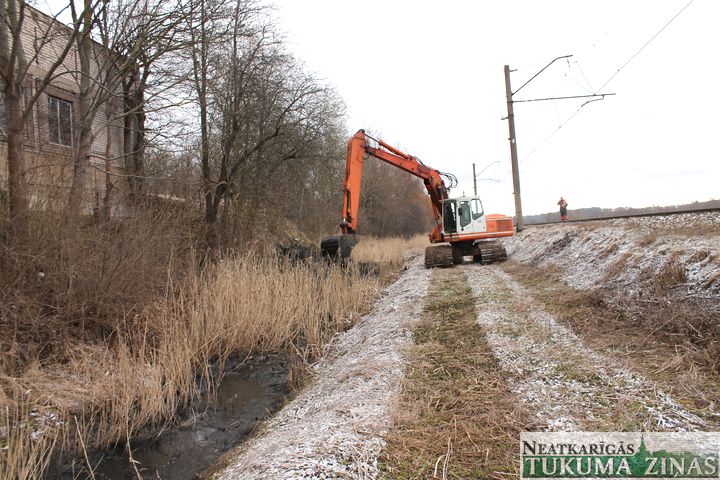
<point x="358" y="149"/>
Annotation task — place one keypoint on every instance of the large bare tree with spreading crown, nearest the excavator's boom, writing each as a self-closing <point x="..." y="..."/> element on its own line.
<point x="258" y="111"/>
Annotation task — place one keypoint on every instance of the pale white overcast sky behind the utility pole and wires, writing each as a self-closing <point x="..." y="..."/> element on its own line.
<point x="428" y="76"/>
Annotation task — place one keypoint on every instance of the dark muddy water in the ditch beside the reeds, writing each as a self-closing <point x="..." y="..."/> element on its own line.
<point x="249" y="392"/>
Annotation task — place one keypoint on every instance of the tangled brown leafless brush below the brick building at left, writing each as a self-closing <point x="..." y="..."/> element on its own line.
<point x="78" y="285"/>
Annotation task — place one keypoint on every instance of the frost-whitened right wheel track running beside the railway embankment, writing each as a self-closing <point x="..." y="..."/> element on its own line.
<point x="568" y="386"/>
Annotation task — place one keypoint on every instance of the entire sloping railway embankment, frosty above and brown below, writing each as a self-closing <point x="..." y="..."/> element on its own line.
<point x="646" y="290"/>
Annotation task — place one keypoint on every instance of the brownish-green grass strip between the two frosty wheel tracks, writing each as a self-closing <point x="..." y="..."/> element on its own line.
<point x="457" y="417"/>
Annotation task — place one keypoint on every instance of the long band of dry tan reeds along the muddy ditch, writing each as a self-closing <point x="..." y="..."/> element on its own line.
<point x="243" y="304"/>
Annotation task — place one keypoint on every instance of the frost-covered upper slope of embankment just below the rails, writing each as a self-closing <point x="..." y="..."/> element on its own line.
<point x="679" y="254"/>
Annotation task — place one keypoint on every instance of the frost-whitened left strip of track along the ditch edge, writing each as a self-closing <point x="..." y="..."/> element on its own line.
<point x="335" y="427"/>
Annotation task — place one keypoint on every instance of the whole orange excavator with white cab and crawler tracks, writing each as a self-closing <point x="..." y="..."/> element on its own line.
<point x="462" y="229"/>
